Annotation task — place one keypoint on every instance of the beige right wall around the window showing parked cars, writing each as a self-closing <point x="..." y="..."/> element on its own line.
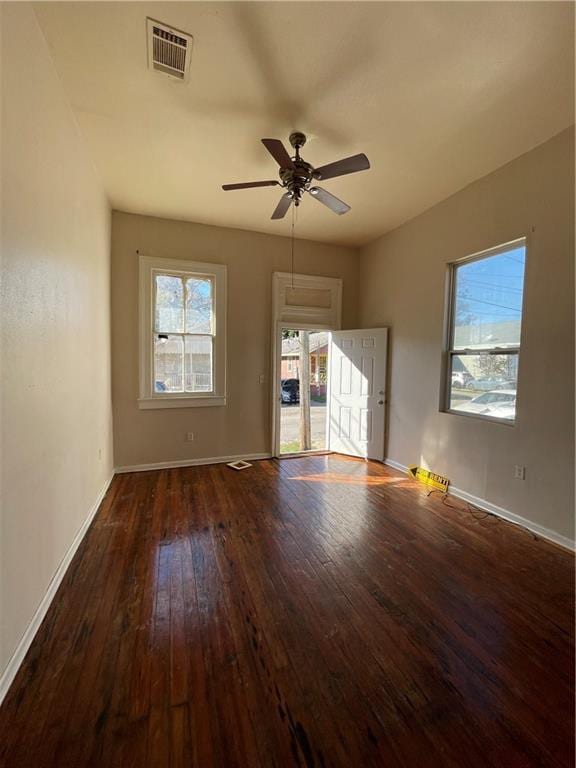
<point x="402" y="286"/>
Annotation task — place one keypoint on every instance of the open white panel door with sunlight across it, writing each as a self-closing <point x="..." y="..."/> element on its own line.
<point x="357" y="392"/>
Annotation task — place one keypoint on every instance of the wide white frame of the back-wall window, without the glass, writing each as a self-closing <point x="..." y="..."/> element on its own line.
<point x="148" y="397"/>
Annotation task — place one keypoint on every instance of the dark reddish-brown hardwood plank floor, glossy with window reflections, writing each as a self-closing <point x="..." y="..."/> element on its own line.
<point x="312" y="612"/>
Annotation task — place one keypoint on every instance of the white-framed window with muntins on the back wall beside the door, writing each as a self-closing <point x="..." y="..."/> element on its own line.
<point x="182" y="326"/>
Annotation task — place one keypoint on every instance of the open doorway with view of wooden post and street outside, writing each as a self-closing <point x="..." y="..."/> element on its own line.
<point x="303" y="383"/>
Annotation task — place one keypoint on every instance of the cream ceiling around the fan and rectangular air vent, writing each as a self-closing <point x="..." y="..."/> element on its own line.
<point x="436" y="94"/>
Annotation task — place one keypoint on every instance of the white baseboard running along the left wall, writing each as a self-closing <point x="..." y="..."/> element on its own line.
<point x="26" y="641"/>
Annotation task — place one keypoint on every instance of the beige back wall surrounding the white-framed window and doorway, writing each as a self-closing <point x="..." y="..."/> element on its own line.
<point x="243" y="425"/>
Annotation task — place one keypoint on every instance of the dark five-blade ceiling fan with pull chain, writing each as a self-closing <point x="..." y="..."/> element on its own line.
<point x="296" y="176"/>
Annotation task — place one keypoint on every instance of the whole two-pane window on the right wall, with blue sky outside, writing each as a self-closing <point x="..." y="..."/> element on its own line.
<point x="484" y="329"/>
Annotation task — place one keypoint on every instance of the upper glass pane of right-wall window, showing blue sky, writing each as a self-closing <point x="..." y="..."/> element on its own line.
<point x="488" y="301"/>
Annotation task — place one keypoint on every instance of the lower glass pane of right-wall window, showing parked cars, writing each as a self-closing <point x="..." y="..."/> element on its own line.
<point x="484" y="385"/>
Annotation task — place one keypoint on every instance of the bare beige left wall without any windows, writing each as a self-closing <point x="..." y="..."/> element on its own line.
<point x="55" y="396"/>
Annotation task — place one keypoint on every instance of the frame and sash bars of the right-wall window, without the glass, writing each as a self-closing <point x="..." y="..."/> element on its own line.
<point x="449" y="351"/>
